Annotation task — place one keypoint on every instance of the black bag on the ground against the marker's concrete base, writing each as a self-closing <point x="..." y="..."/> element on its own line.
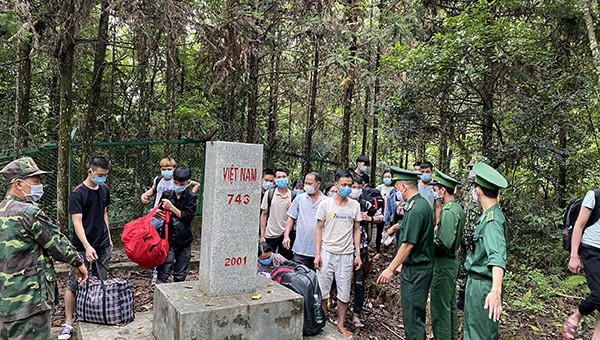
<point x="304" y="282"/>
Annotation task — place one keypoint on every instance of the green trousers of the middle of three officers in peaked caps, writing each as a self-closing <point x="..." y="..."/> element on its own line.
<point x="444" y="320"/>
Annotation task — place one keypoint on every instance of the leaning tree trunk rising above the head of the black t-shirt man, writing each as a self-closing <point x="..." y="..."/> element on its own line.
<point x="89" y="120"/>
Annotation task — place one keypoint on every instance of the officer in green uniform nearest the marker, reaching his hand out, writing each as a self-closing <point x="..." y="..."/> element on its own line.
<point x="415" y="254"/>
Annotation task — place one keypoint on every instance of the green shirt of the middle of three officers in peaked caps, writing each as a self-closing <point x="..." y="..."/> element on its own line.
<point x="450" y="230"/>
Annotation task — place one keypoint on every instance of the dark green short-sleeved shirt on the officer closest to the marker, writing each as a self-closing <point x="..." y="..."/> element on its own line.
<point x="417" y="228"/>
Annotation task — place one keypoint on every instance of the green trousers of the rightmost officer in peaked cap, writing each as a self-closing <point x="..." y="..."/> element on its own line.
<point x="478" y="326"/>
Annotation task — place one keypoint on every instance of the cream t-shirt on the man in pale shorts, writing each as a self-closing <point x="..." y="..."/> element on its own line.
<point x="338" y="231"/>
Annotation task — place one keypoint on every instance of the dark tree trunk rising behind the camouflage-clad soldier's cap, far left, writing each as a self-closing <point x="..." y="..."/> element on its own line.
<point x="23" y="92"/>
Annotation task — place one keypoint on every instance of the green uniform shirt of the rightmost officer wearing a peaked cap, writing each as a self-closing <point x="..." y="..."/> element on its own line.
<point x="490" y="243"/>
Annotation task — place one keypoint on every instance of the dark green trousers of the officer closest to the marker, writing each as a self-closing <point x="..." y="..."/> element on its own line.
<point x="414" y="288"/>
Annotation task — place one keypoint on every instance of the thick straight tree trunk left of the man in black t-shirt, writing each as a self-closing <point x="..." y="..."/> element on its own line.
<point x="66" y="53"/>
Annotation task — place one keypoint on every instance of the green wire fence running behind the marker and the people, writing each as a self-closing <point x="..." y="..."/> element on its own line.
<point x="134" y="165"/>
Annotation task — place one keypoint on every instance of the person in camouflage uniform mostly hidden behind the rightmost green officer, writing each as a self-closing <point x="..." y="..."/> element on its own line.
<point x="472" y="213"/>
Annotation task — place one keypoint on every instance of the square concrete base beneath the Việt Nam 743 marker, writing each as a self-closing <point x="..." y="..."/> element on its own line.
<point x="182" y="311"/>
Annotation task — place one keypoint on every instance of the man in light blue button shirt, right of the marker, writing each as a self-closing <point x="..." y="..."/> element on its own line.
<point x="303" y="211"/>
